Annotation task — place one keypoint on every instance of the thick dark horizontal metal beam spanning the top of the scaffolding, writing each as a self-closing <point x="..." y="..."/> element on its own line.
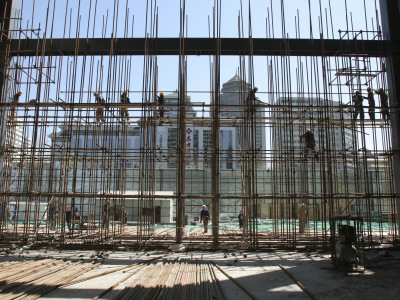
<point x="203" y="46"/>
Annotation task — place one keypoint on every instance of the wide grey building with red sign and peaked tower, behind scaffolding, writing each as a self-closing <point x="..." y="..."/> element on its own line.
<point x="96" y="140"/>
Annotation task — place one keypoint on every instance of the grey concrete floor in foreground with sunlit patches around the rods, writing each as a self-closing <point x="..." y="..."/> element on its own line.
<point x="258" y="272"/>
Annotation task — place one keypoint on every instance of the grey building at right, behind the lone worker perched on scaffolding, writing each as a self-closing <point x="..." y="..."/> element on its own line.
<point x="297" y="115"/>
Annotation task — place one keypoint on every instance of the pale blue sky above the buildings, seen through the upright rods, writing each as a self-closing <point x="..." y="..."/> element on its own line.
<point x="302" y="19"/>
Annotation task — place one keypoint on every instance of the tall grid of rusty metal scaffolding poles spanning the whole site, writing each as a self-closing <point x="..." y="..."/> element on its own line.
<point x="89" y="161"/>
